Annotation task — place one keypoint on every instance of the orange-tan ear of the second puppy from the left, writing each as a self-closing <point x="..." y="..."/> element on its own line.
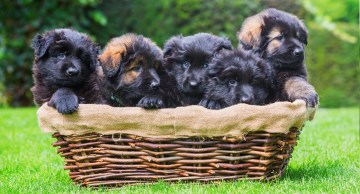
<point x="110" y="60"/>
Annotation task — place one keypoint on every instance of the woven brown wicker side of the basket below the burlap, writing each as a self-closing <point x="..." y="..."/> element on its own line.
<point x="116" y="159"/>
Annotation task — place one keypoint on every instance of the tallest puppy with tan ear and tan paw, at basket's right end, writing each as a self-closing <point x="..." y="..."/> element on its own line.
<point x="280" y="38"/>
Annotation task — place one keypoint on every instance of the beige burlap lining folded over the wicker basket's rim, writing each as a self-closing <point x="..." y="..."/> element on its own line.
<point x="191" y="121"/>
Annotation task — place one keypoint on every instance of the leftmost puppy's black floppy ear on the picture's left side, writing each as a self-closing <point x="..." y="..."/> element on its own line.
<point x="40" y="44"/>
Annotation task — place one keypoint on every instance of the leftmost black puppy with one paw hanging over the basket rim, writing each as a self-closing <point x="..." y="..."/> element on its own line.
<point x="64" y="70"/>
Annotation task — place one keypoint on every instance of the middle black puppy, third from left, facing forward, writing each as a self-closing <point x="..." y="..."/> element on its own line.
<point x="186" y="60"/>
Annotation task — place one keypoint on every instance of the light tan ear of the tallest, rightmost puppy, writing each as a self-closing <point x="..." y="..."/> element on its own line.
<point x="250" y="34"/>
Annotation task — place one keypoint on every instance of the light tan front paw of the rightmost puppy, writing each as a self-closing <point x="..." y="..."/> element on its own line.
<point x="297" y="88"/>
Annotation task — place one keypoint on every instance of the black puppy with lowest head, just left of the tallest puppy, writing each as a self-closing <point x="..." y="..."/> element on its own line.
<point x="237" y="76"/>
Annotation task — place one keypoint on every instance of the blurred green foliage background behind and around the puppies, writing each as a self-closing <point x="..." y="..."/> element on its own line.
<point x="332" y="54"/>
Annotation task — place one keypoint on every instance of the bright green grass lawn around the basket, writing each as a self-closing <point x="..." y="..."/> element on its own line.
<point x="326" y="160"/>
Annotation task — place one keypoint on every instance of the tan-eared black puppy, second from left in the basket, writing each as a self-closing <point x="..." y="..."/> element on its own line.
<point x="134" y="75"/>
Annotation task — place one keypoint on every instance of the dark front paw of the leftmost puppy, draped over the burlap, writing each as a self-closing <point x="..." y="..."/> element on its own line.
<point x="66" y="104"/>
